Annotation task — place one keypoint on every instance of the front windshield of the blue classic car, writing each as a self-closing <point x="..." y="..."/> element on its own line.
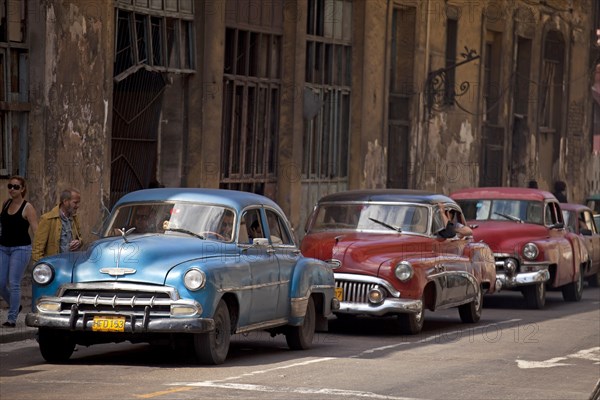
<point x="201" y="220"/>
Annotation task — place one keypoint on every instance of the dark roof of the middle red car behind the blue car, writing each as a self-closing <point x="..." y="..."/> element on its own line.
<point x="383" y="195"/>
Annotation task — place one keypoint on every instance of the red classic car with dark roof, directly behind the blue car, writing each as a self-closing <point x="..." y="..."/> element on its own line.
<point x="390" y="259"/>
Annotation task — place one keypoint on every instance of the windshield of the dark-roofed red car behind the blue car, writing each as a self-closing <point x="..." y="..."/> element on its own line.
<point x="372" y="217"/>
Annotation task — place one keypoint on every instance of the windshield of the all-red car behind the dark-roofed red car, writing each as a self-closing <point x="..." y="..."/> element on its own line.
<point x="503" y="210"/>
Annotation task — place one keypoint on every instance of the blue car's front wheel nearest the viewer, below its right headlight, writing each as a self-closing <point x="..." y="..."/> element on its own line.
<point x="212" y="347"/>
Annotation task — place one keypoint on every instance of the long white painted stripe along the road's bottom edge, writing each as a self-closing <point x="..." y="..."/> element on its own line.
<point x="301" y="390"/>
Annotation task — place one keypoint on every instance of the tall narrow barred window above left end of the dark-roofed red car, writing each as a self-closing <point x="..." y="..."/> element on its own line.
<point x="328" y="89"/>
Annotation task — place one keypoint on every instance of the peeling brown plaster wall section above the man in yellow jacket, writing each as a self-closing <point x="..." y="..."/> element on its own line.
<point x="70" y="124"/>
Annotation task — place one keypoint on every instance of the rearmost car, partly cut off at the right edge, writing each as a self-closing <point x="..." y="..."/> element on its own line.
<point x="579" y="219"/>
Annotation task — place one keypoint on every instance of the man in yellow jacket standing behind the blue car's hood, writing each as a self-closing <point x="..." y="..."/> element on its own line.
<point x="58" y="230"/>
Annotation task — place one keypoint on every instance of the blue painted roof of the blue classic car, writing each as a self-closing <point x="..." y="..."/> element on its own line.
<point x="230" y="198"/>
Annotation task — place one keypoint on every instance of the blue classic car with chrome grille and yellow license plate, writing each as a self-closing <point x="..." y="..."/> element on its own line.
<point x="192" y="266"/>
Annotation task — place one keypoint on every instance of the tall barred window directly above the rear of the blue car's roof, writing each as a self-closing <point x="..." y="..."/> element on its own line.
<point x="251" y="96"/>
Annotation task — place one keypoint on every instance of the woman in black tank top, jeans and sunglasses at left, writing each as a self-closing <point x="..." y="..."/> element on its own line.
<point x="15" y="245"/>
